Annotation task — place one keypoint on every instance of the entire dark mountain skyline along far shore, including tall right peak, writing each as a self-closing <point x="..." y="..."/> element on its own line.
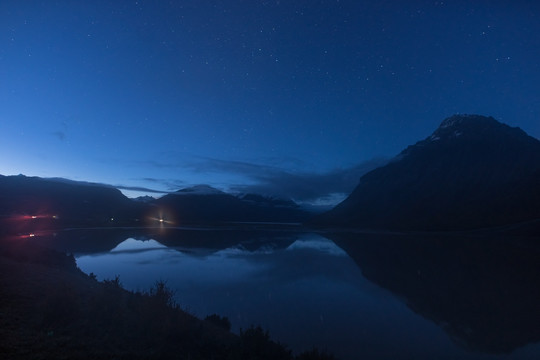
<point x="472" y="172"/>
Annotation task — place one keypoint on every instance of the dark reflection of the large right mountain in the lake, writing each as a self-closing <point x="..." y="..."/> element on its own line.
<point x="482" y="289"/>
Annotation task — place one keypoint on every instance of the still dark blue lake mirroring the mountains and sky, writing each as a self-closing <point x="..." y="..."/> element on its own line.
<point x="369" y="296"/>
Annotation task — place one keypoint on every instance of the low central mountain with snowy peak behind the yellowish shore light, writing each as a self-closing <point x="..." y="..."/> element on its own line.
<point x="204" y="204"/>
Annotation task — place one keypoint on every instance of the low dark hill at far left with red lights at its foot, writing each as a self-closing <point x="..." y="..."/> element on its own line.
<point x="31" y="203"/>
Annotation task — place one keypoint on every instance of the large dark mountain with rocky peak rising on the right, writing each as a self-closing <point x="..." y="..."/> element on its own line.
<point x="472" y="172"/>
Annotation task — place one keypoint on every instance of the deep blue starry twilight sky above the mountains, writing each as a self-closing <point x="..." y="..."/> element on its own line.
<point x="287" y="98"/>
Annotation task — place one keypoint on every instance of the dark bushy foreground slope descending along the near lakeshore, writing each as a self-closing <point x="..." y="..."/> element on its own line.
<point x="49" y="309"/>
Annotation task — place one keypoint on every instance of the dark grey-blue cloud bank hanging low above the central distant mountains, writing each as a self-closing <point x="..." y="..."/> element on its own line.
<point x="272" y="180"/>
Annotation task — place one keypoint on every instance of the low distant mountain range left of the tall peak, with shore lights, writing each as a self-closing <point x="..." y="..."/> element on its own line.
<point x="33" y="204"/>
